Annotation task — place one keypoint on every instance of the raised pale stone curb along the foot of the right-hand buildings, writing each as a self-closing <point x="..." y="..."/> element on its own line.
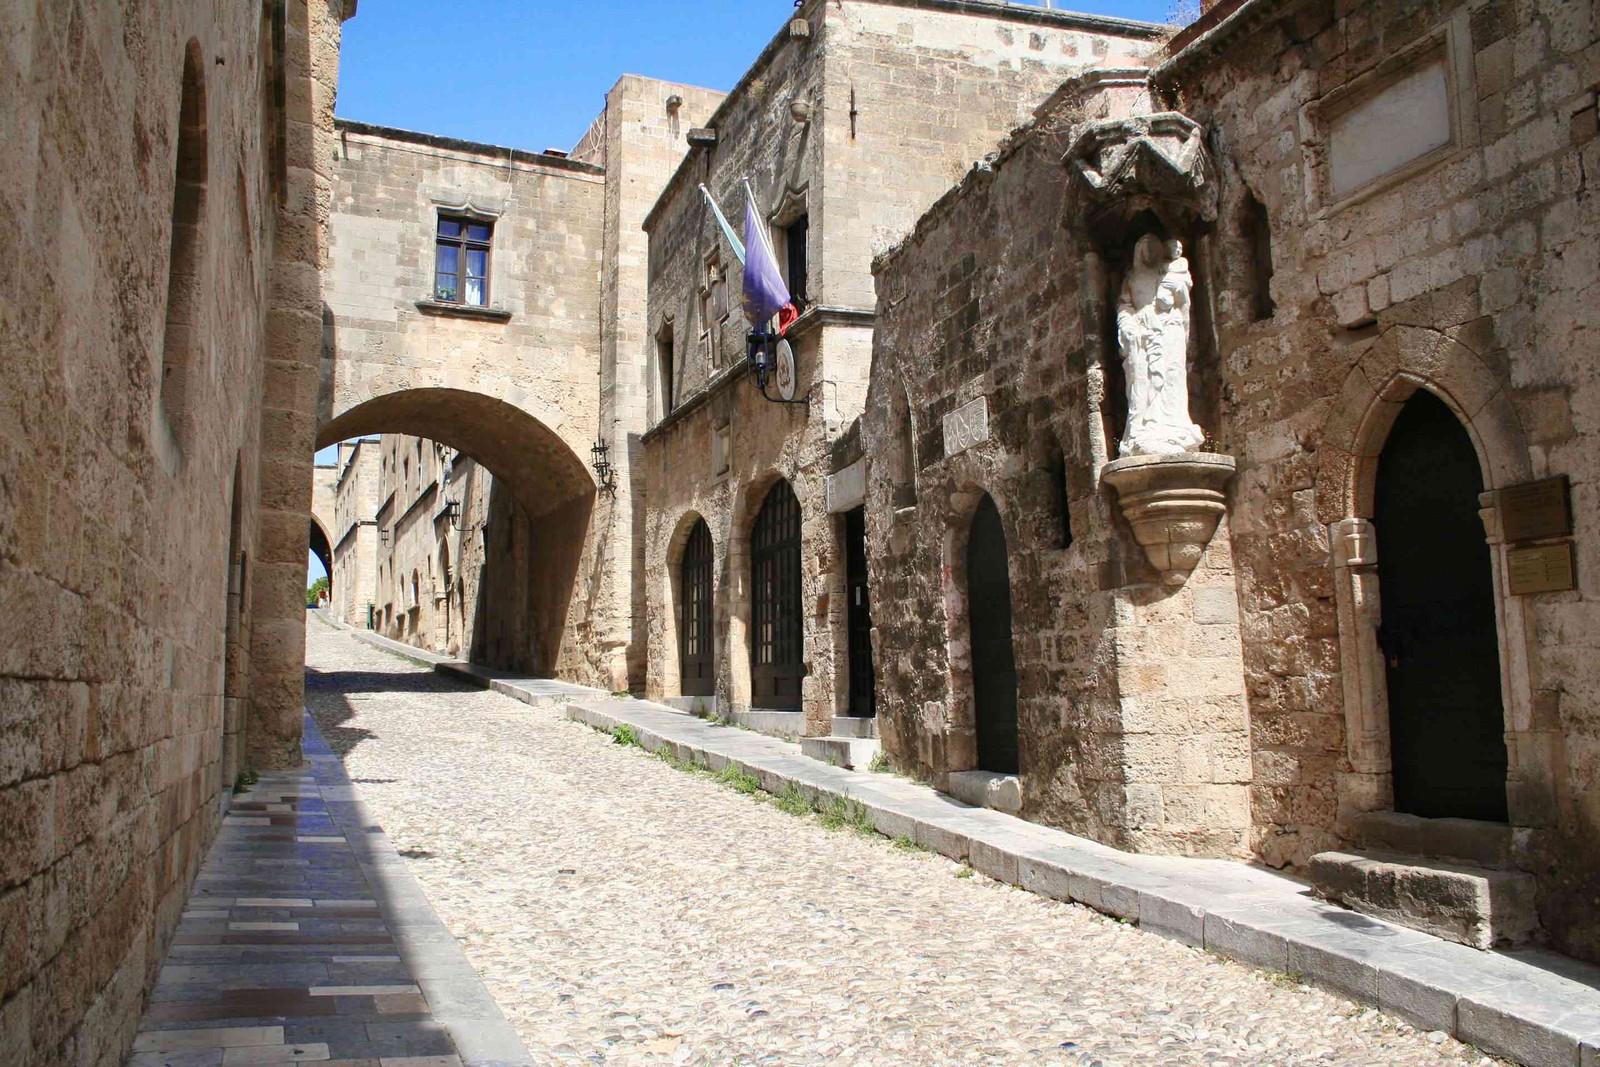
<point x="1530" y="1005"/>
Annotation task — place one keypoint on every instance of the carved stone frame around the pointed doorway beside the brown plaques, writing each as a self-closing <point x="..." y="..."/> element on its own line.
<point x="1394" y="367"/>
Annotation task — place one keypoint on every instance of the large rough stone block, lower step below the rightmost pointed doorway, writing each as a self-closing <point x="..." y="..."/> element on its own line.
<point x="1473" y="906"/>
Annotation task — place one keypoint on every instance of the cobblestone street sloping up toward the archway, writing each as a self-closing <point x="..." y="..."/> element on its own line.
<point x="628" y="913"/>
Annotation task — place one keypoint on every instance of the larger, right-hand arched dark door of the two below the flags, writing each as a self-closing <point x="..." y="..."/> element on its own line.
<point x="775" y="631"/>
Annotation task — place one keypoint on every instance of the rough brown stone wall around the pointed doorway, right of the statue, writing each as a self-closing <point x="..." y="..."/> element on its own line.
<point x="1463" y="274"/>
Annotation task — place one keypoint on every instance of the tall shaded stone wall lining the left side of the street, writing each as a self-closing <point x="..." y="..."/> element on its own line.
<point x="162" y="212"/>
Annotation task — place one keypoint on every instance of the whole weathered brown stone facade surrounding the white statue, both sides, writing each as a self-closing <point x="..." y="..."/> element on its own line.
<point x="1340" y="273"/>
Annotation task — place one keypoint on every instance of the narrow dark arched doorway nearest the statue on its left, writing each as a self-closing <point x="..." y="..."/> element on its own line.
<point x="994" y="661"/>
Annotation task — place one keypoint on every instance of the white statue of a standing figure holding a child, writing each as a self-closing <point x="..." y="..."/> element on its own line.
<point x="1153" y="329"/>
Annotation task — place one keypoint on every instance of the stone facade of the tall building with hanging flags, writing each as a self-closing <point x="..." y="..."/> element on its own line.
<point x="855" y="124"/>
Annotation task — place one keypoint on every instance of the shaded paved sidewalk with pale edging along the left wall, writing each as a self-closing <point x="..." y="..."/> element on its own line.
<point x="306" y="940"/>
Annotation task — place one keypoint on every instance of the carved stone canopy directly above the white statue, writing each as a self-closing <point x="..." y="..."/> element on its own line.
<point x="1148" y="162"/>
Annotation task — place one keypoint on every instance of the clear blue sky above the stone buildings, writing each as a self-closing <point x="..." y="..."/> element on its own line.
<point x="534" y="74"/>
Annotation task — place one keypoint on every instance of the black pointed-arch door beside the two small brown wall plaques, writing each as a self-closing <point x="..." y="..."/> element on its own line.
<point x="1442" y="655"/>
